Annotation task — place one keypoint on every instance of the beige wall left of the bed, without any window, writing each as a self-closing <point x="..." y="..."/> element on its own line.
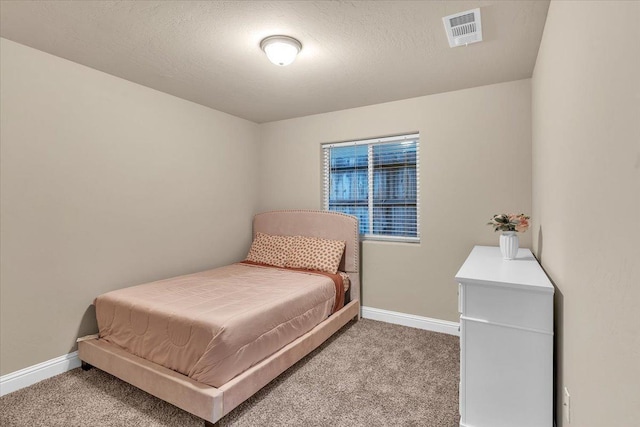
<point x="106" y="184"/>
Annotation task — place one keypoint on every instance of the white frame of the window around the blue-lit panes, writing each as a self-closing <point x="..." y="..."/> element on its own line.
<point x="370" y="201"/>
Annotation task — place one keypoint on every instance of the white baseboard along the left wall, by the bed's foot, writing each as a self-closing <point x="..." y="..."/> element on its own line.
<point x="36" y="373"/>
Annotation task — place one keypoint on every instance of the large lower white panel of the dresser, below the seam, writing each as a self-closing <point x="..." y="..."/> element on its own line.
<point x="508" y="378"/>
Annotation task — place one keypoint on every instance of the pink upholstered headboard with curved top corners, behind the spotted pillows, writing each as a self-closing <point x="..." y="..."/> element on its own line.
<point x="324" y="224"/>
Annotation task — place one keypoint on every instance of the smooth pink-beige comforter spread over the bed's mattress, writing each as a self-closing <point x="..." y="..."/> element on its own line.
<point x="215" y="324"/>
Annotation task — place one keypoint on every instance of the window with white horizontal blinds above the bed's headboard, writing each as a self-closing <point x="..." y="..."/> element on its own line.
<point x="376" y="180"/>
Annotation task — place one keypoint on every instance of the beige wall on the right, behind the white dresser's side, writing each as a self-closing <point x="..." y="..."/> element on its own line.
<point x="586" y="176"/>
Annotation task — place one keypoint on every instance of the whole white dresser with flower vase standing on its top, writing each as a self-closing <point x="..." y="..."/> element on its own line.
<point x="506" y="341"/>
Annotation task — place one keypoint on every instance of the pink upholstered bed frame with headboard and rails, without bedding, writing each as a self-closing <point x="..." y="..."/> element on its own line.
<point x="211" y="403"/>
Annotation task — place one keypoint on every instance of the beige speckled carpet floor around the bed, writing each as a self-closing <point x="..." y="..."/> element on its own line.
<point x="369" y="374"/>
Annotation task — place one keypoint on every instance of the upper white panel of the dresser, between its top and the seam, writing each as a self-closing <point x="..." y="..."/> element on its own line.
<point x="509" y="306"/>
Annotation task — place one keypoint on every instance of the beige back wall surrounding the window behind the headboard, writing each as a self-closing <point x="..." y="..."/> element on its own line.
<point x="475" y="160"/>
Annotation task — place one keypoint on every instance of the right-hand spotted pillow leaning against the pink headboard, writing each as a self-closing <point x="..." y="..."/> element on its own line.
<point x="313" y="253"/>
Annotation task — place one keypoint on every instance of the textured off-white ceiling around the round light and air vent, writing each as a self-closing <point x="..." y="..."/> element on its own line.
<point x="354" y="53"/>
